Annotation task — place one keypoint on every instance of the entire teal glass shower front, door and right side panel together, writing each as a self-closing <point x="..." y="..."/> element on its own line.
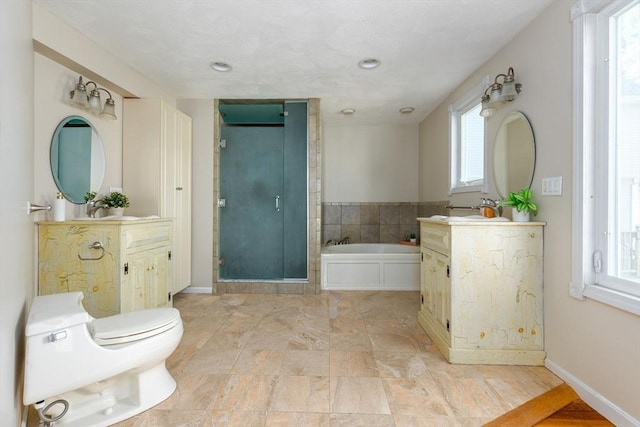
<point x="263" y="181"/>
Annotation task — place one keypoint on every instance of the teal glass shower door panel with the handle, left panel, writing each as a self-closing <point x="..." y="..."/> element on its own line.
<point x="251" y="221"/>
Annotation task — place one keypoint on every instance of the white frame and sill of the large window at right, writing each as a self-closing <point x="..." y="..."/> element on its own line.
<point x="589" y="95"/>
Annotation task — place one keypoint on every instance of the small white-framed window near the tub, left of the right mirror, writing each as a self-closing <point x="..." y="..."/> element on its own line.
<point x="467" y="141"/>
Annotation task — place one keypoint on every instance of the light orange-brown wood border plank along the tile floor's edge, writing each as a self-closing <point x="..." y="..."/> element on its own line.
<point x="536" y="410"/>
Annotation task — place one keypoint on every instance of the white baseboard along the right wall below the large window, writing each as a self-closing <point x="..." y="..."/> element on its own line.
<point x="608" y="409"/>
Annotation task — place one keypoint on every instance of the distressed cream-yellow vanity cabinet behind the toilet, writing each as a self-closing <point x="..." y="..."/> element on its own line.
<point x="120" y="266"/>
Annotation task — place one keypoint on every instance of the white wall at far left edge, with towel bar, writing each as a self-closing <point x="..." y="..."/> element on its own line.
<point x="16" y="175"/>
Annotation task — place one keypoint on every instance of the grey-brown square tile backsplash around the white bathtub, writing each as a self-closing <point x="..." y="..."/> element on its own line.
<point x="375" y="222"/>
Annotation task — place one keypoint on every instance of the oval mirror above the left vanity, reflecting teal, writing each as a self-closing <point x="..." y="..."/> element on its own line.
<point x="77" y="158"/>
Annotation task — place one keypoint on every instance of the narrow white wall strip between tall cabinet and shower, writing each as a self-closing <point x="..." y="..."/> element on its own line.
<point x="201" y="113"/>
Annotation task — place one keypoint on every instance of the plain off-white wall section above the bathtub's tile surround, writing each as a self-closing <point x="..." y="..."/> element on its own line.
<point x="375" y="163"/>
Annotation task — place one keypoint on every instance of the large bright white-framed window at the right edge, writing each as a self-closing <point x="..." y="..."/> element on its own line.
<point x="607" y="153"/>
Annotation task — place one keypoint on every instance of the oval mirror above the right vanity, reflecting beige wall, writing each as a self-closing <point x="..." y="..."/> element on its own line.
<point x="514" y="155"/>
